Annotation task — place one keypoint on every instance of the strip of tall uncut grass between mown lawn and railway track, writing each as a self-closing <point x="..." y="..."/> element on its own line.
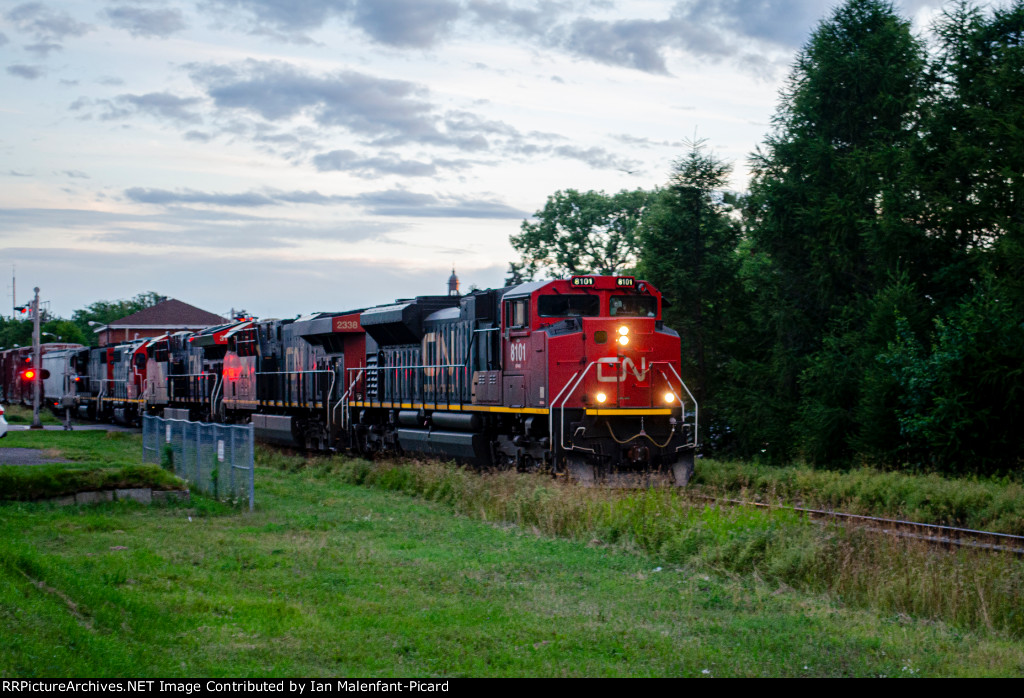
<point x="969" y="589"/>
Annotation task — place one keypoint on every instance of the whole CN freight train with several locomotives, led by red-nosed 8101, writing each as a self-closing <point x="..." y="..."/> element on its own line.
<point x="577" y="377"/>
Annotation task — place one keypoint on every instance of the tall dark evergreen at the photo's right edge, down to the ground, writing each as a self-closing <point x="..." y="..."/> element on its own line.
<point x="960" y="382"/>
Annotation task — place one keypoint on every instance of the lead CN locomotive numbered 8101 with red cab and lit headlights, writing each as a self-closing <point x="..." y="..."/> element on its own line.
<point x="576" y="376"/>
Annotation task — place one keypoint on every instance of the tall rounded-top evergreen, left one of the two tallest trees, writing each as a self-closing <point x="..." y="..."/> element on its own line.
<point x="831" y="211"/>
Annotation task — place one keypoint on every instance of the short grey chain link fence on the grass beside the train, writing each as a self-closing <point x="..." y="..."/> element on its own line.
<point x="216" y="459"/>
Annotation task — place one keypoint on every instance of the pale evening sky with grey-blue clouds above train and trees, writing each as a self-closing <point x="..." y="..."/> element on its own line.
<point x="291" y="156"/>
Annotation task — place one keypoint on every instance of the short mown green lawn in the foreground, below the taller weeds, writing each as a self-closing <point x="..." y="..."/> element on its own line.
<point x="328" y="578"/>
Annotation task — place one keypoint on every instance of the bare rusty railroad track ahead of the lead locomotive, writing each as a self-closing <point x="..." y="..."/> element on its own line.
<point x="951" y="537"/>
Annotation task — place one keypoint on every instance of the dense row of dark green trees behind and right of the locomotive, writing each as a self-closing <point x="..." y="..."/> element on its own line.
<point x="864" y="302"/>
